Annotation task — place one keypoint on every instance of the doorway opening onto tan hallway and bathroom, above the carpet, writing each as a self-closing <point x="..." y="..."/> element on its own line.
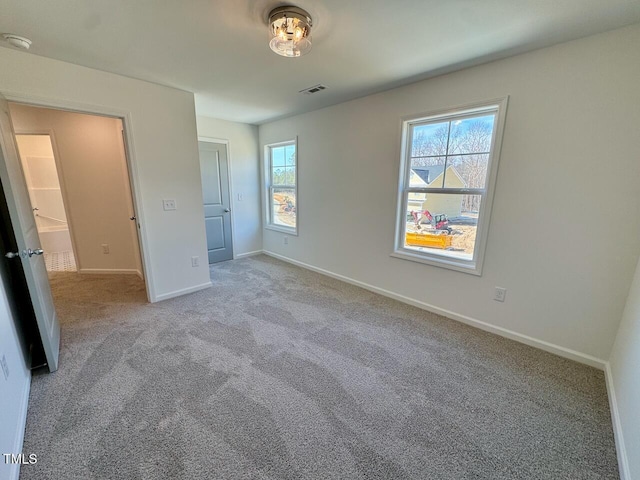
<point x="77" y="175"/>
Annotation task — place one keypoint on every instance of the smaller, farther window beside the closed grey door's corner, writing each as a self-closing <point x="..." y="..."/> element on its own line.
<point x="281" y="187"/>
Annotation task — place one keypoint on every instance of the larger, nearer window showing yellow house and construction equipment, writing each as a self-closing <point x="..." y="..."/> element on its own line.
<point x="448" y="170"/>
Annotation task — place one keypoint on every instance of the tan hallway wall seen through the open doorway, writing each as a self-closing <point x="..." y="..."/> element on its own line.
<point x="93" y="175"/>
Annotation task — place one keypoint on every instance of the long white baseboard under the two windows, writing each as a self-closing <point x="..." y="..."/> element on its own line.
<point x="503" y="332"/>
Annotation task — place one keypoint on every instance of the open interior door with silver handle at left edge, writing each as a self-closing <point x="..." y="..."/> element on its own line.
<point x="26" y="233"/>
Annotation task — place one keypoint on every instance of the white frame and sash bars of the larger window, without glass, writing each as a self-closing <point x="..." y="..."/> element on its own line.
<point x="473" y="266"/>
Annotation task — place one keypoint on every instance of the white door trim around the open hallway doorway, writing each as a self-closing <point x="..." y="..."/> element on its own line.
<point x="131" y="160"/>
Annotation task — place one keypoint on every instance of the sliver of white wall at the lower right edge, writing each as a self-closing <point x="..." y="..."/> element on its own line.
<point x="625" y="379"/>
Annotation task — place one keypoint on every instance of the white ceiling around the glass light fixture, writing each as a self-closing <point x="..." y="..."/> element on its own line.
<point x="218" y="49"/>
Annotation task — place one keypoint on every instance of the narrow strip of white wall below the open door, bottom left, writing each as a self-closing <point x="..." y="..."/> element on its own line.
<point x="14" y="390"/>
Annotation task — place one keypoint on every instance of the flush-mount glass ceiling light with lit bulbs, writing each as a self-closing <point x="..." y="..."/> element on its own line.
<point x="290" y="30"/>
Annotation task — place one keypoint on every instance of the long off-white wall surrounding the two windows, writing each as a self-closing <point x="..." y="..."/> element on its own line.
<point x="564" y="232"/>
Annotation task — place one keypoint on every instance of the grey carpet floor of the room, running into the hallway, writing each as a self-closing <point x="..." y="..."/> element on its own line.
<point x="281" y="373"/>
